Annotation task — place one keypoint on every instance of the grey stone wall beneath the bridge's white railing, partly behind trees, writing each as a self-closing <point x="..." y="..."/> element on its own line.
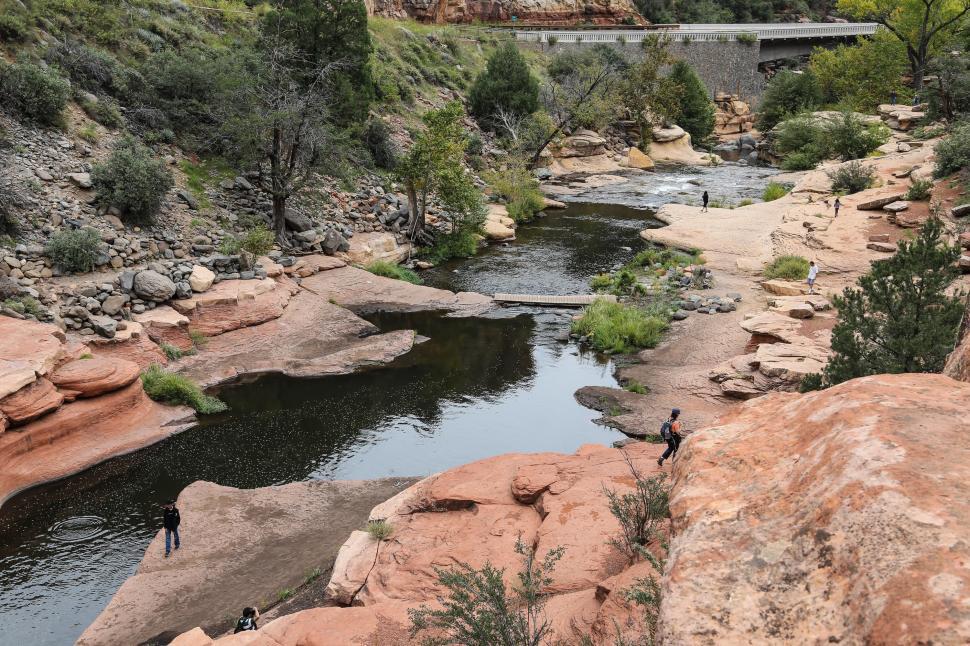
<point x="730" y="67"/>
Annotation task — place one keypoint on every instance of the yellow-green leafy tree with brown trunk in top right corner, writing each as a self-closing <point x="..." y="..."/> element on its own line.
<point x="921" y="25"/>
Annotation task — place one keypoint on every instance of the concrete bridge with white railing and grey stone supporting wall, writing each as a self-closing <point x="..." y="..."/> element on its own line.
<point x="726" y="57"/>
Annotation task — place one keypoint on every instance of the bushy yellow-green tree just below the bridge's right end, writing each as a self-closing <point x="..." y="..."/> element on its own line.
<point x="861" y="76"/>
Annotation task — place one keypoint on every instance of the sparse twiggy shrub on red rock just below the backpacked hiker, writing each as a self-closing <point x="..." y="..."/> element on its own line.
<point x="639" y="512"/>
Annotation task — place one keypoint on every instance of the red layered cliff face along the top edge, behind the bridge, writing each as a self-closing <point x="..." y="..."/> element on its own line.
<point x="550" y="12"/>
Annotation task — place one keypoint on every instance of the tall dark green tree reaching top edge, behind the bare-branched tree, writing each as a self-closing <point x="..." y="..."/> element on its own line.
<point x="324" y="32"/>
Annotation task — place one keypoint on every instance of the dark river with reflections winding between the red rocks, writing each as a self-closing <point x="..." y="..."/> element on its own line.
<point x="477" y="387"/>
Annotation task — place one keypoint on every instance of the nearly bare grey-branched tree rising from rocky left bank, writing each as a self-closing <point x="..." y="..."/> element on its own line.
<point x="276" y="117"/>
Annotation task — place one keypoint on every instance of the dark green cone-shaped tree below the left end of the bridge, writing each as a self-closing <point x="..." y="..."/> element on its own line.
<point x="507" y="85"/>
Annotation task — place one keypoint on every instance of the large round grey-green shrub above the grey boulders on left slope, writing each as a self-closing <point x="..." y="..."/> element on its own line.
<point x="132" y="179"/>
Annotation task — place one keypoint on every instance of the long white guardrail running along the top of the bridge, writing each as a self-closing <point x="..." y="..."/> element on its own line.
<point x="704" y="32"/>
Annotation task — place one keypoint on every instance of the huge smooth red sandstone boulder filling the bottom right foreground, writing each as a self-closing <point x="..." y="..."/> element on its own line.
<point x="840" y="516"/>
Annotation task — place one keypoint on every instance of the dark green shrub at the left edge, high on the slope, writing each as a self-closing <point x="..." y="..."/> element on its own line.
<point x="38" y="93"/>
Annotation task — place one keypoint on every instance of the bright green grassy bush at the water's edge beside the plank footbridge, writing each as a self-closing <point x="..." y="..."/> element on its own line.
<point x="614" y="327"/>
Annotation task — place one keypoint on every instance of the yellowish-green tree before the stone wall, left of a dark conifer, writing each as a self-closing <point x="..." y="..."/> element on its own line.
<point x="650" y="98"/>
